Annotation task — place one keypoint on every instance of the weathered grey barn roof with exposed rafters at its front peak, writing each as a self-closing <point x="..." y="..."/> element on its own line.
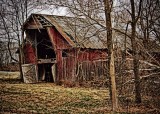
<point x="78" y="32"/>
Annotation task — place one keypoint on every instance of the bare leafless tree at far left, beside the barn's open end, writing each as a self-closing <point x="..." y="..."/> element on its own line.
<point x="13" y="14"/>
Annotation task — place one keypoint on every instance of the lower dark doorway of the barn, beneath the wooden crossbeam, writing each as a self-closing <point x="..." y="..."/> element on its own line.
<point x="46" y="72"/>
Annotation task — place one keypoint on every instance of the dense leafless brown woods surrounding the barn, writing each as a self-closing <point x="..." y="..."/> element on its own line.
<point x="129" y="29"/>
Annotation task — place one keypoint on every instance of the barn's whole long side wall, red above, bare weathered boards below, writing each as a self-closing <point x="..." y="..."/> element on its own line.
<point x="88" y="66"/>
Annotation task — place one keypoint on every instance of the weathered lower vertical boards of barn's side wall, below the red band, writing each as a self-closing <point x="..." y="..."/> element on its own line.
<point x="85" y="71"/>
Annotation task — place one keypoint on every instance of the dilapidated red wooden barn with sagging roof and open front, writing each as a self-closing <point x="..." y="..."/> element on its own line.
<point x="59" y="49"/>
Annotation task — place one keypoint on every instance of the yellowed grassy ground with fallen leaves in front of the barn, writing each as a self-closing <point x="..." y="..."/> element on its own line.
<point x="17" y="97"/>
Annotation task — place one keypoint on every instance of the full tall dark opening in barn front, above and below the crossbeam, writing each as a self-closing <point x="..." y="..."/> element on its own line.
<point x="46" y="57"/>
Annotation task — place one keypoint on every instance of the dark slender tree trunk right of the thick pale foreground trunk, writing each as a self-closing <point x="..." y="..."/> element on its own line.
<point x="135" y="55"/>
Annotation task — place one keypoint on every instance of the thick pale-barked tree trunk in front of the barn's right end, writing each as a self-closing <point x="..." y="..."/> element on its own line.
<point x="111" y="67"/>
